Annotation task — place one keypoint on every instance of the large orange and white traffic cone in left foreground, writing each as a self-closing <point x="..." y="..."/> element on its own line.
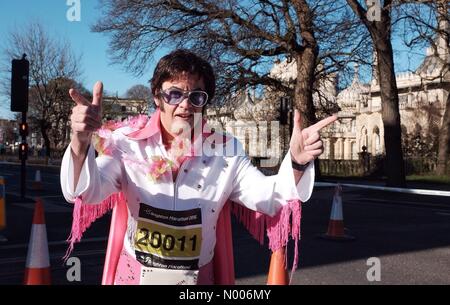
<point x="37" y="270"/>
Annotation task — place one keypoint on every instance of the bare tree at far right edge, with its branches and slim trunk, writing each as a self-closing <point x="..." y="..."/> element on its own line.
<point x="428" y="25"/>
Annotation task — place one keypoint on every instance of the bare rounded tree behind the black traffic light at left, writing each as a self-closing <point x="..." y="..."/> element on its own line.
<point x="53" y="66"/>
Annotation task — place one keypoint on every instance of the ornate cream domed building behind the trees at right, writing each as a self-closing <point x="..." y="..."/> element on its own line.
<point x="422" y="97"/>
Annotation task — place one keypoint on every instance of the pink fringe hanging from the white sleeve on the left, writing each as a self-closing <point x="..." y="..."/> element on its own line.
<point x="85" y="214"/>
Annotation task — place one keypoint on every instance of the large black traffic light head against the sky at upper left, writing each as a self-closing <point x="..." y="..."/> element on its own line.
<point x="19" y="84"/>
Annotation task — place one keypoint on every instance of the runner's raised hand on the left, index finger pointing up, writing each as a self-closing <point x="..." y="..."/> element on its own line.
<point x="86" y="118"/>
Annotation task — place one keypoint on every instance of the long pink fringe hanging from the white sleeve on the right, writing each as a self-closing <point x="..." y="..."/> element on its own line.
<point x="279" y="228"/>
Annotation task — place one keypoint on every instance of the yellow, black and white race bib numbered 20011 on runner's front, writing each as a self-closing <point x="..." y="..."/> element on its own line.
<point x="168" y="244"/>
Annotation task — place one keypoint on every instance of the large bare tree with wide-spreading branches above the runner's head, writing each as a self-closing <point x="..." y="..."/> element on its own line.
<point x="242" y="39"/>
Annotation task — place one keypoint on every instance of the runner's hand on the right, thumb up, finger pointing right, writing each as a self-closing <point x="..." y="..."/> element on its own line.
<point x="305" y="143"/>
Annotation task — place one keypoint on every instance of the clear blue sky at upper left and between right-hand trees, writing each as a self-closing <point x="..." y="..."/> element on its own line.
<point x="94" y="46"/>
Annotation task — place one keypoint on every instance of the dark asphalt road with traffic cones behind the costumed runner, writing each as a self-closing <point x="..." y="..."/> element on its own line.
<point x="409" y="234"/>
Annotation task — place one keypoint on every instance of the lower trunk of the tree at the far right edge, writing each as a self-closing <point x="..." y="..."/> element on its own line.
<point x="444" y="141"/>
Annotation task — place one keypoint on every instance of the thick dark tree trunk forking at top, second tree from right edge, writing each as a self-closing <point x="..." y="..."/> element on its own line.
<point x="380" y="30"/>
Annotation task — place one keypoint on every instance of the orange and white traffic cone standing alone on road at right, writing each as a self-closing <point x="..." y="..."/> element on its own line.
<point x="336" y="229"/>
